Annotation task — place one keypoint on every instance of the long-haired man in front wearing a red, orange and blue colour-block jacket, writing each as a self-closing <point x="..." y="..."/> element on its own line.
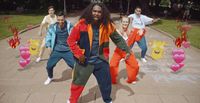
<point x="89" y="42"/>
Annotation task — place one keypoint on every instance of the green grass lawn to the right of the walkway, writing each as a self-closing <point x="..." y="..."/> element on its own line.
<point x="170" y="27"/>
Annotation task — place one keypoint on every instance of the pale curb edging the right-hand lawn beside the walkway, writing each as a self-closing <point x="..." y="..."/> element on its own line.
<point x="172" y="37"/>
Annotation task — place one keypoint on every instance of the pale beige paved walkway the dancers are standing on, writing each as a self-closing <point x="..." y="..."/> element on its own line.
<point x="157" y="83"/>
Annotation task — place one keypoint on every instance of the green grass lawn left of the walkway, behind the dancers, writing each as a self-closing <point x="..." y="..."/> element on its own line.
<point x="20" y="21"/>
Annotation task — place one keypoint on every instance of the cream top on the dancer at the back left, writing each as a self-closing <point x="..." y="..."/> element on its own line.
<point x="48" y="20"/>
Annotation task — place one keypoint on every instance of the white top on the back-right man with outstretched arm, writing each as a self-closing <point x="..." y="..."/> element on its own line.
<point x="140" y="21"/>
